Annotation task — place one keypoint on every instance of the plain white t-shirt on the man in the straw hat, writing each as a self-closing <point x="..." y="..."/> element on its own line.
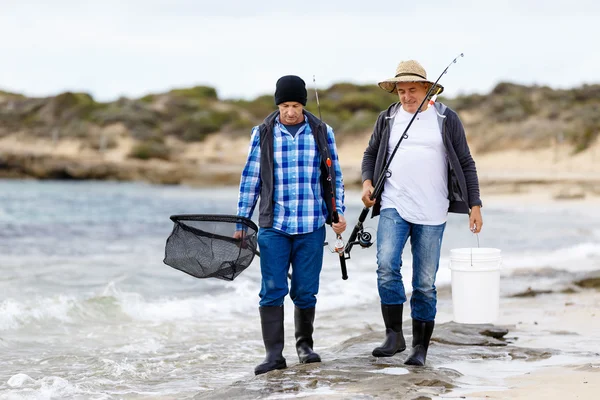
<point x="418" y="187"/>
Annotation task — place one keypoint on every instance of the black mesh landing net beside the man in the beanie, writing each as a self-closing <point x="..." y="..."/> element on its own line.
<point x="204" y="245"/>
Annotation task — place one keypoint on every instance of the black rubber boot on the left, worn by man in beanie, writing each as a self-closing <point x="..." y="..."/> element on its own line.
<point x="271" y="321"/>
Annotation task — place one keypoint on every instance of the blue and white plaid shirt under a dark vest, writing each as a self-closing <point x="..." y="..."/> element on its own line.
<point x="298" y="201"/>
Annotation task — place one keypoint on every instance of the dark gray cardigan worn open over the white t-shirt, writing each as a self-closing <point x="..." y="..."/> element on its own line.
<point x="463" y="184"/>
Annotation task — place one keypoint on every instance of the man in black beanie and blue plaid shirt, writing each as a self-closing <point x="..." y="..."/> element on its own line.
<point x="293" y="167"/>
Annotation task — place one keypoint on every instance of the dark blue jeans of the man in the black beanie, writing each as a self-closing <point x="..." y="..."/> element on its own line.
<point x="277" y="251"/>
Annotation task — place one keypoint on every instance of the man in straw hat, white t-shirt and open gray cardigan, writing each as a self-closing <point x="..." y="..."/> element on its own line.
<point x="431" y="174"/>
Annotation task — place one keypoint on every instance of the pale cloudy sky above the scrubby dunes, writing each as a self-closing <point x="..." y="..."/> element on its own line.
<point x="132" y="48"/>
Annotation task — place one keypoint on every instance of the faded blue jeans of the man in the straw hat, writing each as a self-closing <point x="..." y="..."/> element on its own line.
<point x="426" y="244"/>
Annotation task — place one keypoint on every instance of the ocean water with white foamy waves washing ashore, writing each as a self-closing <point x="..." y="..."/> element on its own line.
<point x="88" y="309"/>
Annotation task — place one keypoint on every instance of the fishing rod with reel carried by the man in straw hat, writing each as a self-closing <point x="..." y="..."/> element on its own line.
<point x="364" y="238"/>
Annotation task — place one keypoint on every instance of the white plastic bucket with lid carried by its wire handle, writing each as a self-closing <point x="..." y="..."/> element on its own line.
<point x="475" y="284"/>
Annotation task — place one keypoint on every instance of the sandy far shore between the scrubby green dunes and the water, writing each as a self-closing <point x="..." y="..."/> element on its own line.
<point x="219" y="160"/>
